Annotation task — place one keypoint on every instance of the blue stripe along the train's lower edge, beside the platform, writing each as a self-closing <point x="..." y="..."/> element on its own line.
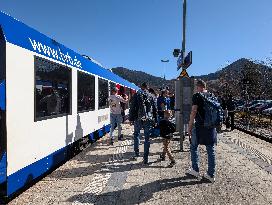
<point x="24" y="176"/>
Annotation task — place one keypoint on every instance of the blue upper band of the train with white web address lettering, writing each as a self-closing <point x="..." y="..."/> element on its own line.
<point x="20" y="34"/>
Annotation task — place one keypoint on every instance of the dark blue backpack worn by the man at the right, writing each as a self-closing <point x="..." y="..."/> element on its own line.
<point x="213" y="111"/>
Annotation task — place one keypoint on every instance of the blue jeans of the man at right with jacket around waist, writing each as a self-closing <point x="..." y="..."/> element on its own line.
<point x="195" y="155"/>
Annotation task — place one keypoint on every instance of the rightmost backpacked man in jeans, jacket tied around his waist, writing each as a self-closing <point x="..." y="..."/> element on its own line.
<point x="207" y="114"/>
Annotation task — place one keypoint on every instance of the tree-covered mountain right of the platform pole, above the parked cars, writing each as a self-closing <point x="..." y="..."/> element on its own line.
<point x="240" y="77"/>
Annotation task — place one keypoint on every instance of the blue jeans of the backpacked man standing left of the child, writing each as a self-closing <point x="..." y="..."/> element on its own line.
<point x="147" y="126"/>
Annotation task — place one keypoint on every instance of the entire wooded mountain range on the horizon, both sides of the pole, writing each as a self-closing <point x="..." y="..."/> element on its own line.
<point x="229" y="80"/>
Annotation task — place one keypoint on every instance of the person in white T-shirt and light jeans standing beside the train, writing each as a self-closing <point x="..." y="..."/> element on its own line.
<point x="115" y="112"/>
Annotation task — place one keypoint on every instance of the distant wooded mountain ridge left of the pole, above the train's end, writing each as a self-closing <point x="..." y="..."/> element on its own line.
<point x="138" y="77"/>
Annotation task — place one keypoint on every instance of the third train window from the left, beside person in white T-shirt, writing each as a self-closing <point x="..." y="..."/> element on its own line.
<point x="103" y="93"/>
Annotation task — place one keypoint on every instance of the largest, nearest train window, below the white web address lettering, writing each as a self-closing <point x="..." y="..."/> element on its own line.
<point x="52" y="89"/>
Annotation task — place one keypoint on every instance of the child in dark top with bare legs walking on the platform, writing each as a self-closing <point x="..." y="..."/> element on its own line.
<point x="166" y="130"/>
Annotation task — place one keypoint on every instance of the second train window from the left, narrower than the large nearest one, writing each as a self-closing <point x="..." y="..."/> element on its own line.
<point x="85" y="92"/>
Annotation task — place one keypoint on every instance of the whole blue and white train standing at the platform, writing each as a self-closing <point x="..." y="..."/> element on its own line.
<point x="51" y="98"/>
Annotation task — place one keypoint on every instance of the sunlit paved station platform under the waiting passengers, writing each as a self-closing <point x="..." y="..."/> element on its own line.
<point x="104" y="174"/>
